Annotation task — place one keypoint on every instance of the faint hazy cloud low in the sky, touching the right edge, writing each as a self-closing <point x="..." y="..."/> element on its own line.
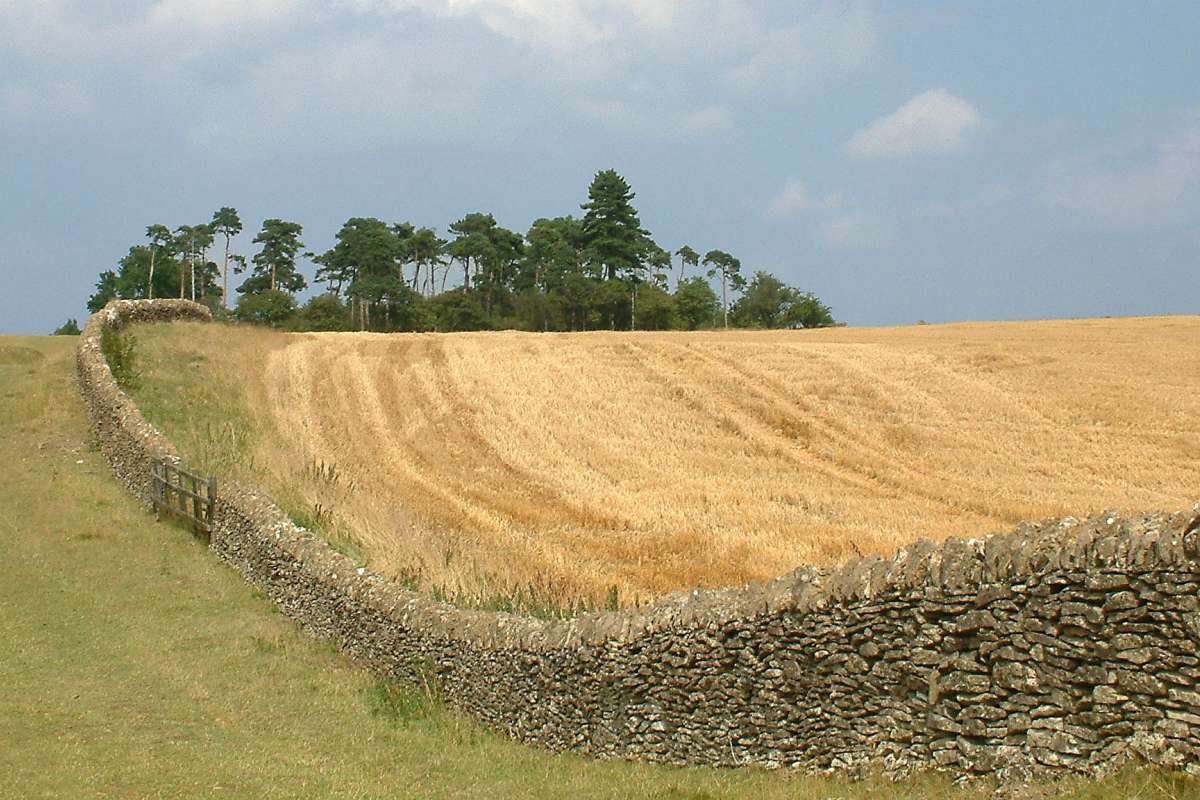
<point x="1142" y="181"/>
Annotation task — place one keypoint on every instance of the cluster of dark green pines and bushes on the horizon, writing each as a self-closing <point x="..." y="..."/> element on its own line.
<point x="566" y="274"/>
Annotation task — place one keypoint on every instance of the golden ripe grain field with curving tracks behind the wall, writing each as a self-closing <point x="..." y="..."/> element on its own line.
<point x="652" y="462"/>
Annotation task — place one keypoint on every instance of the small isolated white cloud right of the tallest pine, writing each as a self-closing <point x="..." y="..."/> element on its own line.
<point x="932" y="123"/>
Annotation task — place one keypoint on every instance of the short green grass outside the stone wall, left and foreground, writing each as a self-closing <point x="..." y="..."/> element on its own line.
<point x="135" y="665"/>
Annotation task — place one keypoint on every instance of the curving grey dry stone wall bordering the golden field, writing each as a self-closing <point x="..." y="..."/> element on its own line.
<point x="1060" y="646"/>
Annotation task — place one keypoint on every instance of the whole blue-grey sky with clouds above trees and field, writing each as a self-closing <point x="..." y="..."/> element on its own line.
<point x="905" y="161"/>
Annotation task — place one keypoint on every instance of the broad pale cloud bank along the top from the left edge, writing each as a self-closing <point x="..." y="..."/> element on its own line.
<point x="667" y="69"/>
